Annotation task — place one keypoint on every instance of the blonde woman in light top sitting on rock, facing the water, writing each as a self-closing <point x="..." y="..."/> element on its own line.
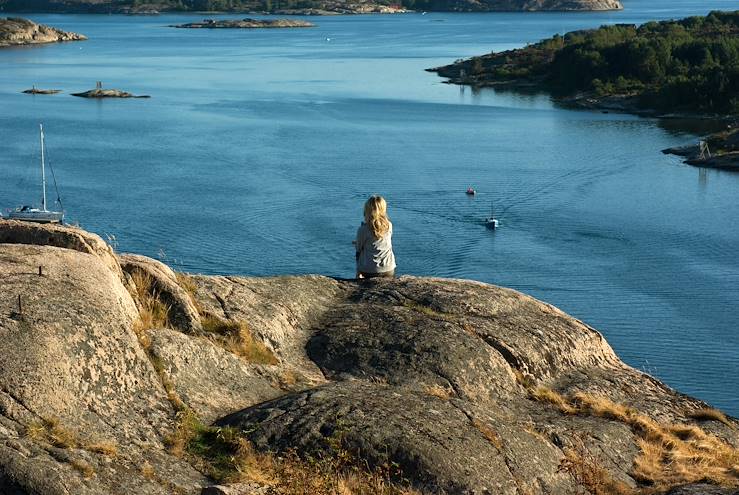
<point x="374" y="245"/>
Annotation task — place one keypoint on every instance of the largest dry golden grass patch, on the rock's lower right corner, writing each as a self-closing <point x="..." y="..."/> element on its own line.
<point x="670" y="454"/>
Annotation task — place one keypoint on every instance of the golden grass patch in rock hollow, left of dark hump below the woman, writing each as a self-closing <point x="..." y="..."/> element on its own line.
<point x="235" y="337"/>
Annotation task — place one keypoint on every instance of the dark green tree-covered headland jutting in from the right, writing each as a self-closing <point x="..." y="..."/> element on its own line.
<point x="685" y="65"/>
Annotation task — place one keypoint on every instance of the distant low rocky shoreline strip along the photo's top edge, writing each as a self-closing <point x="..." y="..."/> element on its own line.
<point x="303" y="7"/>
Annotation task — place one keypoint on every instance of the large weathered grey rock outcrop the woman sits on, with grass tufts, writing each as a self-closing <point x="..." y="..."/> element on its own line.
<point x="119" y="376"/>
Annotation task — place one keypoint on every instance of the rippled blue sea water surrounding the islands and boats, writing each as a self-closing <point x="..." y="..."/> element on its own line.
<point x="258" y="148"/>
